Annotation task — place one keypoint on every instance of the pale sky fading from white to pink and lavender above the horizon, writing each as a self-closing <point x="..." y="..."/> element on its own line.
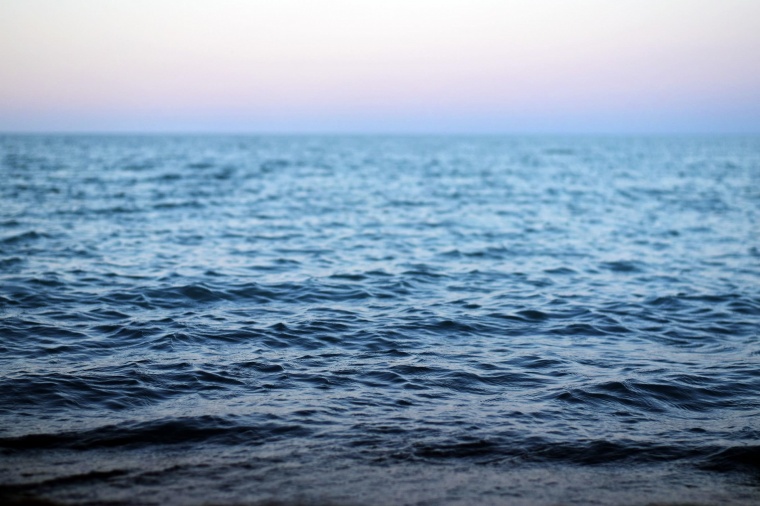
<point x="380" y="66"/>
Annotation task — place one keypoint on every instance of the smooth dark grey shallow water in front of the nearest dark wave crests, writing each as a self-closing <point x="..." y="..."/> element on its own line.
<point x="310" y="475"/>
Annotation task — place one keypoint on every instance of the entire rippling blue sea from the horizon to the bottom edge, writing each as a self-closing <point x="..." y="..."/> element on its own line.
<point x="195" y="320"/>
